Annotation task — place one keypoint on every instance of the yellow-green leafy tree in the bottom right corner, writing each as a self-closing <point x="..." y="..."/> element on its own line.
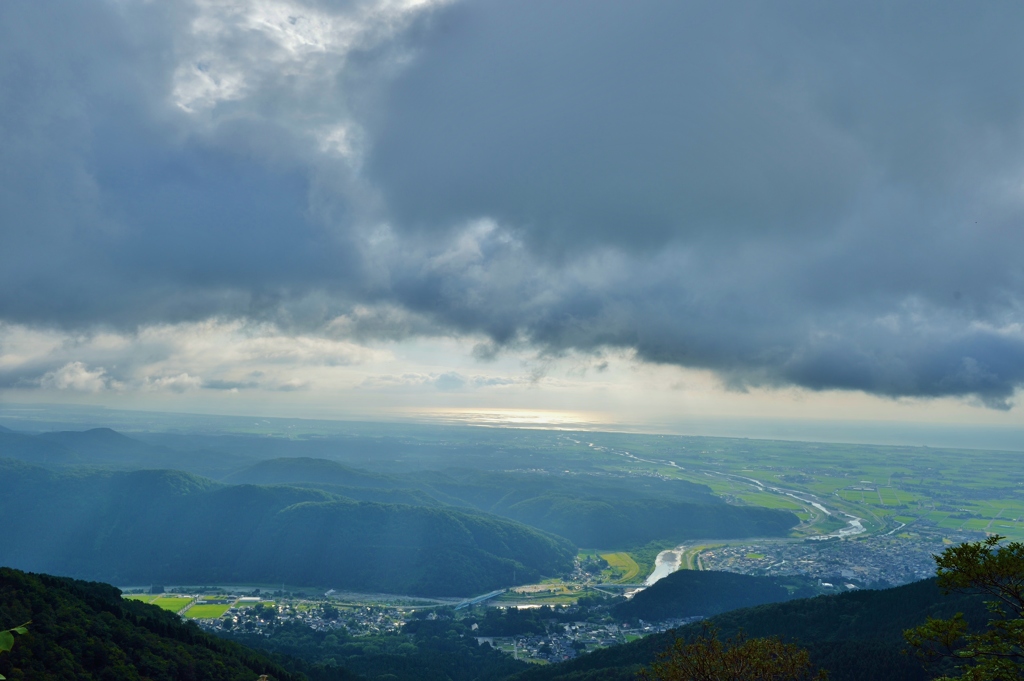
<point x="998" y="653"/>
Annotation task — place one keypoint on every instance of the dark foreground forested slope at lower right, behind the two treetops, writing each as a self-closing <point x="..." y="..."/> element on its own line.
<point x="855" y="636"/>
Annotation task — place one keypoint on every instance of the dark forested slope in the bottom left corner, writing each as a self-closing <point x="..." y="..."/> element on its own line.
<point x="84" y="631"/>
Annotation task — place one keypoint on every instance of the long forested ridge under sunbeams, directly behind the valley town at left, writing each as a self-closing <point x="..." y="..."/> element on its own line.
<point x="169" y="527"/>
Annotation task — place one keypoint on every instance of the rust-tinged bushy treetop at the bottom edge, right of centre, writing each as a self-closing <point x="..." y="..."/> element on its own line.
<point x="738" y="659"/>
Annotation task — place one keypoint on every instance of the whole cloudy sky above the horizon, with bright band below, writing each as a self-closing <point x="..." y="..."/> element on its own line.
<point x="611" y="212"/>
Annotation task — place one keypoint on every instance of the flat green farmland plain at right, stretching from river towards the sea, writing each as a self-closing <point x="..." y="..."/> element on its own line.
<point x="888" y="488"/>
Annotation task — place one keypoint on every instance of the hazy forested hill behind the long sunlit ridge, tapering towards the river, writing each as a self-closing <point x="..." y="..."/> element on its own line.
<point x="590" y="510"/>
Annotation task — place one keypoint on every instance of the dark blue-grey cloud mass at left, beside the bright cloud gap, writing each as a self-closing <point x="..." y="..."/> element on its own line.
<point x="113" y="210"/>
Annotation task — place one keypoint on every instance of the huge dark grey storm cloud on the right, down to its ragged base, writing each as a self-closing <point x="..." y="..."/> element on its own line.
<point x="823" y="195"/>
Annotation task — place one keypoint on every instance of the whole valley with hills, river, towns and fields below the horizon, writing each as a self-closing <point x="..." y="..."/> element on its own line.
<point x="541" y="547"/>
